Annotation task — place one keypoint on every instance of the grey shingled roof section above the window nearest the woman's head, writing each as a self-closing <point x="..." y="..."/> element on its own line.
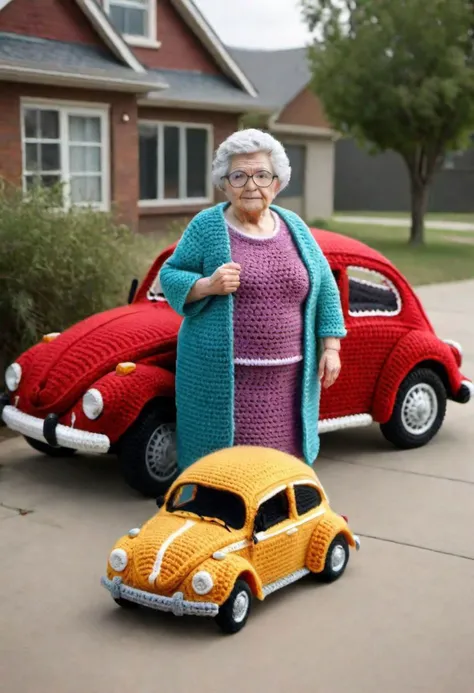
<point x="202" y="90"/>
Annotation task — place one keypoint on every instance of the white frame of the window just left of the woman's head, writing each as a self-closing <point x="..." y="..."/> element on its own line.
<point x="180" y="201"/>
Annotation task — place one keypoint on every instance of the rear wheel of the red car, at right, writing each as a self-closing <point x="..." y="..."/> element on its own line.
<point x="419" y="410"/>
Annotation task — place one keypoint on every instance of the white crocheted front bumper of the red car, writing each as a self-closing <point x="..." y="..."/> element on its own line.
<point x="66" y="436"/>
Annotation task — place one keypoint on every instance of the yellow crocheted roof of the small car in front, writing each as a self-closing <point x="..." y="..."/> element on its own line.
<point x="249" y="471"/>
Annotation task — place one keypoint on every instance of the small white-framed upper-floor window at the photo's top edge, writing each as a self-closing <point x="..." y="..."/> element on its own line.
<point x="135" y="19"/>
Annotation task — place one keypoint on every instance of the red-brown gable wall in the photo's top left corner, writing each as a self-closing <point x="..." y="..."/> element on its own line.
<point x="51" y="19"/>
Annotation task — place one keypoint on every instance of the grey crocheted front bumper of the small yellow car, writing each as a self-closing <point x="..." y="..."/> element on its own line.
<point x="176" y="604"/>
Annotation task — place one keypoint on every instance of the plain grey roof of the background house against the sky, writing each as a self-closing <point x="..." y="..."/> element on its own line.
<point x="278" y="75"/>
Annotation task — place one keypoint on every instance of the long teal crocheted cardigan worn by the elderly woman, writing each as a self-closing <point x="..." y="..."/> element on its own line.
<point x="204" y="367"/>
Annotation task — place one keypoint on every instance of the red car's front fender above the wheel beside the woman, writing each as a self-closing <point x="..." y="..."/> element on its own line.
<point x="124" y="397"/>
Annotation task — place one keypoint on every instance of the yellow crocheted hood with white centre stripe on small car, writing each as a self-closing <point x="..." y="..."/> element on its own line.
<point x="169" y="547"/>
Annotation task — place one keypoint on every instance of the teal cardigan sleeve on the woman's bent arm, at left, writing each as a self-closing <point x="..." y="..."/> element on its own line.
<point x="181" y="271"/>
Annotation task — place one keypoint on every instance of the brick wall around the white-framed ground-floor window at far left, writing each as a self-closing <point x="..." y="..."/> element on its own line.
<point x="123" y="136"/>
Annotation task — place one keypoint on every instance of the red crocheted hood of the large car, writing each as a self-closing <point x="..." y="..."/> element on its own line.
<point x="66" y="367"/>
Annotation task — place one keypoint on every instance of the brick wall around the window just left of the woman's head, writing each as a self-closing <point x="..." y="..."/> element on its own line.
<point x="224" y="124"/>
